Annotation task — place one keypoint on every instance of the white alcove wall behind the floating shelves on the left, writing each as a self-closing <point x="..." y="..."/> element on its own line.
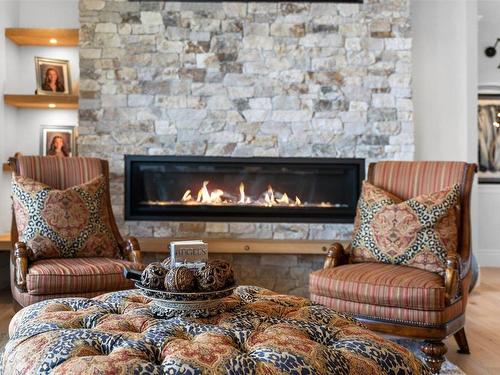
<point x="20" y="128"/>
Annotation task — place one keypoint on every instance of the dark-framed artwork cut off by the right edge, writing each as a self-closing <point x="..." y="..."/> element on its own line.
<point x="488" y="118"/>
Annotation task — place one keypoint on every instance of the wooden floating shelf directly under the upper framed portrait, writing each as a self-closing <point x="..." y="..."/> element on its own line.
<point x="42" y="101"/>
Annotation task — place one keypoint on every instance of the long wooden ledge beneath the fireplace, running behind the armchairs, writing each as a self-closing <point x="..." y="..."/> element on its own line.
<point x="219" y="245"/>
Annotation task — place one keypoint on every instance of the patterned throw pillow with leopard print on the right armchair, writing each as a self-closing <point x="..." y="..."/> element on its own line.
<point x="419" y="232"/>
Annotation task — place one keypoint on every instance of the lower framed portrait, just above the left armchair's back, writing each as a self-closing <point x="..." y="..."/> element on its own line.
<point x="57" y="141"/>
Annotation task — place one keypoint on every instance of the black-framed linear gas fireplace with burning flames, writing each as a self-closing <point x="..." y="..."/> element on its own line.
<point x="179" y="188"/>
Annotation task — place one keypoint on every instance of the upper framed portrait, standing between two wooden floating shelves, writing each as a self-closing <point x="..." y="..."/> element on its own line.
<point x="52" y="76"/>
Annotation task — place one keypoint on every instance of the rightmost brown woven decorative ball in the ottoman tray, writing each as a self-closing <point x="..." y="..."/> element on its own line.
<point x="215" y="275"/>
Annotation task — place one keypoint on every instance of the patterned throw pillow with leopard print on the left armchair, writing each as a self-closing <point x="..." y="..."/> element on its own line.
<point x="63" y="223"/>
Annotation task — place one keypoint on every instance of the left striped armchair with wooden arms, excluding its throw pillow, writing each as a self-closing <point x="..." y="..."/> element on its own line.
<point x="68" y="277"/>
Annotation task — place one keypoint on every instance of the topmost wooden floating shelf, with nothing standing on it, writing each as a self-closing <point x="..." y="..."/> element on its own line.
<point x="43" y="37"/>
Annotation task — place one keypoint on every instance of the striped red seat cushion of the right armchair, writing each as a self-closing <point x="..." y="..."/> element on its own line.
<point x="380" y="284"/>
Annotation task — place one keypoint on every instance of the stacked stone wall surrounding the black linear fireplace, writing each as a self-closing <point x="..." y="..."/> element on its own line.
<point x="243" y="79"/>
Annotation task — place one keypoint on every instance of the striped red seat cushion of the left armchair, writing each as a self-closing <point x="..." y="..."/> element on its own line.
<point x="82" y="275"/>
